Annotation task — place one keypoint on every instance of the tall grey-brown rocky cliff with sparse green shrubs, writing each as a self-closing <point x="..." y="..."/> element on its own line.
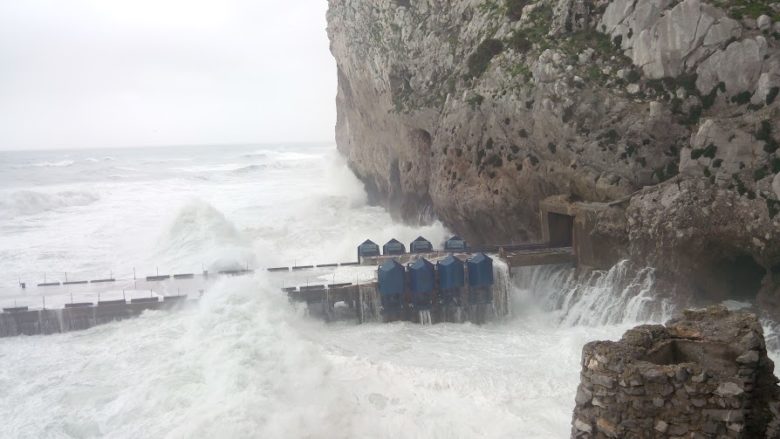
<point x="476" y="110"/>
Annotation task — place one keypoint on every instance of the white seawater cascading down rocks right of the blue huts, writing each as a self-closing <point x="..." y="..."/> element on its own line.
<point x="616" y="296"/>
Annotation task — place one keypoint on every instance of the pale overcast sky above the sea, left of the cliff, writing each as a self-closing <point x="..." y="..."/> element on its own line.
<point x="118" y="73"/>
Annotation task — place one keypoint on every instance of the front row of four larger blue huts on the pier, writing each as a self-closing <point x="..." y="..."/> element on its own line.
<point x="423" y="284"/>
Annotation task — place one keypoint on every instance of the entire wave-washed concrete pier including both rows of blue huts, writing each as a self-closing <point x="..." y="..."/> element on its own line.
<point x="461" y="286"/>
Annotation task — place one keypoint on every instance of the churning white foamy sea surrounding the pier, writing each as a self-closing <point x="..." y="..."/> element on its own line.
<point x="243" y="362"/>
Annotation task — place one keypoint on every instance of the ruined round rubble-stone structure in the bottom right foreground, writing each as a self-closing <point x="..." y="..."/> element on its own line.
<point x="704" y="375"/>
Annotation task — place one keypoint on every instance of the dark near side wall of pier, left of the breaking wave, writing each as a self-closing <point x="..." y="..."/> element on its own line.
<point x="79" y="316"/>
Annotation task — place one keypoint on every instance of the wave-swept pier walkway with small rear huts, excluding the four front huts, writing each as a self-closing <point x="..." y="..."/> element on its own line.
<point x="66" y="301"/>
